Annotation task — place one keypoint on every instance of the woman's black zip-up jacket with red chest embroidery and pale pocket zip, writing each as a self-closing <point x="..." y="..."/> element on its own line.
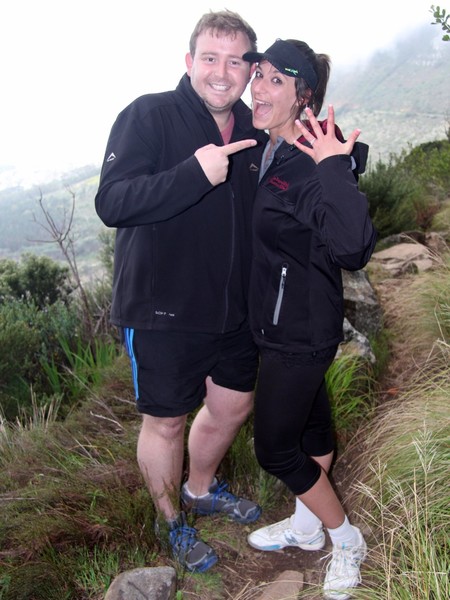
<point x="309" y="222"/>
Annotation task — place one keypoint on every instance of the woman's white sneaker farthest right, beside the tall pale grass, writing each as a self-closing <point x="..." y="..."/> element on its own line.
<point x="343" y="569"/>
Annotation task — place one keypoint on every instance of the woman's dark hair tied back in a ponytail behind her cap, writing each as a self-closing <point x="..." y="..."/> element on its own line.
<point x="321" y="64"/>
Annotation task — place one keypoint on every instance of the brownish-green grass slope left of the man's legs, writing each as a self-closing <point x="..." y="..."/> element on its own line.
<point x="73" y="503"/>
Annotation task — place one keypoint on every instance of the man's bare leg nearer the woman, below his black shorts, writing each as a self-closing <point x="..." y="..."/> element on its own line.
<point x="213" y="431"/>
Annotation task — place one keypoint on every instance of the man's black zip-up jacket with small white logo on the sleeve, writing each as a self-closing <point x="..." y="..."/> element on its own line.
<point x="183" y="247"/>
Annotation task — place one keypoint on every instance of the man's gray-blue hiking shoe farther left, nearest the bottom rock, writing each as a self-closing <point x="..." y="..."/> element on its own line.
<point x="187" y="549"/>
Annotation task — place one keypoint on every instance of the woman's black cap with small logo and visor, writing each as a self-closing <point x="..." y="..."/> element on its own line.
<point x="288" y="59"/>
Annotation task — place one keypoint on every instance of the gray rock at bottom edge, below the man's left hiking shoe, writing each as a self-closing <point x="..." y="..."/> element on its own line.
<point x="158" y="583"/>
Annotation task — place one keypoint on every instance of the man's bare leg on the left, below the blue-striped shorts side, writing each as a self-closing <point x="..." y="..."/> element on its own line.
<point x="160" y="452"/>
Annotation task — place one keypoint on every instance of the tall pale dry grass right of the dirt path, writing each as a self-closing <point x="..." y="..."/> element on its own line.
<point x="403" y="468"/>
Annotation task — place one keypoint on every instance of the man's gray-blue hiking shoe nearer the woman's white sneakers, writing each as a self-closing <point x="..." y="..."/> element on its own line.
<point x="219" y="500"/>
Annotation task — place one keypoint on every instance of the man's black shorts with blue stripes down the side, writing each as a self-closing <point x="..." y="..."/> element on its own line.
<point x="170" y="368"/>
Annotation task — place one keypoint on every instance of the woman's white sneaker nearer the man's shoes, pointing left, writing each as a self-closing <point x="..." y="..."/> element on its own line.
<point x="281" y="534"/>
